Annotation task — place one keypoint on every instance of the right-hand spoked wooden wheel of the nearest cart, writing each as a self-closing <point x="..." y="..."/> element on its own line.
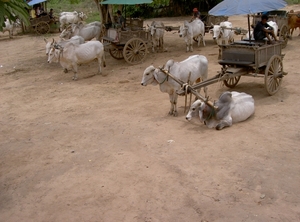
<point x="273" y="74"/>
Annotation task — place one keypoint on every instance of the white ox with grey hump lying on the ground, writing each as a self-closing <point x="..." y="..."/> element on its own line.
<point x="231" y="107"/>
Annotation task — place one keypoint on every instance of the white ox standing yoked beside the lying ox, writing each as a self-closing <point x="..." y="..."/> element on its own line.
<point x="197" y="65"/>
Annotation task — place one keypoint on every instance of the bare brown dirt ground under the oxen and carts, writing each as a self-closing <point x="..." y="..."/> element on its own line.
<point x="103" y="148"/>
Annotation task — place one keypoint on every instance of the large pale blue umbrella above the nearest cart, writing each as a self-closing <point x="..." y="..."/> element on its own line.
<point x="242" y="7"/>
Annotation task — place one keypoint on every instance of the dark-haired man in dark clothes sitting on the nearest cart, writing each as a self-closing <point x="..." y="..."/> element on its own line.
<point x="263" y="30"/>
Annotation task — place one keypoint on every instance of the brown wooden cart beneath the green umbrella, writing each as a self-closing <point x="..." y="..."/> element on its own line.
<point x="129" y="44"/>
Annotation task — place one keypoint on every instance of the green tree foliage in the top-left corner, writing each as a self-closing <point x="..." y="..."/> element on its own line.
<point x="13" y="9"/>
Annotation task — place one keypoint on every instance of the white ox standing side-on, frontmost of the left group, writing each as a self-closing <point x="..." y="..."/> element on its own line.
<point x="72" y="55"/>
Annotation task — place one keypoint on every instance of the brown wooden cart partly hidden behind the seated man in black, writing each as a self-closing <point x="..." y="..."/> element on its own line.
<point x="281" y="19"/>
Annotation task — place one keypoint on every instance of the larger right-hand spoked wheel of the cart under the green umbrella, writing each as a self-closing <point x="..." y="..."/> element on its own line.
<point x="135" y="51"/>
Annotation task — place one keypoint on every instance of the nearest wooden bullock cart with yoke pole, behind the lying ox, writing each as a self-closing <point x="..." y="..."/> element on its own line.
<point x="243" y="58"/>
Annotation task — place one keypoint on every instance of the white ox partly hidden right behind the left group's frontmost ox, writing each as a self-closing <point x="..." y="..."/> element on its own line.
<point x="86" y="31"/>
